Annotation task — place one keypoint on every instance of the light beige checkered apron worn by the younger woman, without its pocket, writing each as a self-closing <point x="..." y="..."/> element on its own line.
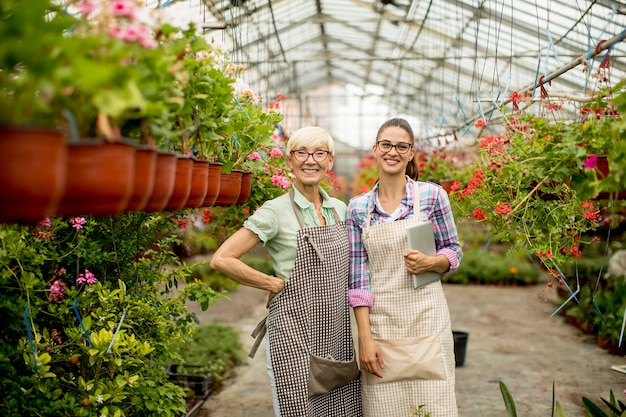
<point x="401" y="311"/>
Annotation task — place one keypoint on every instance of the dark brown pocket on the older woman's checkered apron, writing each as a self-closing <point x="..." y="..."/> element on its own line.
<point x="327" y="374"/>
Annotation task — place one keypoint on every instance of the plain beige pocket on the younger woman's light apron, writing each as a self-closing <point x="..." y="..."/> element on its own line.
<point x="408" y="359"/>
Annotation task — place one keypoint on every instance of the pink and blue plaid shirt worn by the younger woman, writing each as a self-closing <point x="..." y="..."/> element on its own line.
<point x="434" y="206"/>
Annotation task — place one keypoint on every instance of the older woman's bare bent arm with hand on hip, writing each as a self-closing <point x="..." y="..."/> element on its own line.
<point x="227" y="260"/>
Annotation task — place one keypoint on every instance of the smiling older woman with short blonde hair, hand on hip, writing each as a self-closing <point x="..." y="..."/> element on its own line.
<point x="307" y="241"/>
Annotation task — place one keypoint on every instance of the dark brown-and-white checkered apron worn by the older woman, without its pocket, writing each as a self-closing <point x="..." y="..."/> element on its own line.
<point x="311" y="316"/>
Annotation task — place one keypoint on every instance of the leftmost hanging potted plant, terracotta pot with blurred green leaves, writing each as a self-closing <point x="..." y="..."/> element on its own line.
<point x="32" y="149"/>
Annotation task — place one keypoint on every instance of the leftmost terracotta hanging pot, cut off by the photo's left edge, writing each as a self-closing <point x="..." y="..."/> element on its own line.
<point x="33" y="165"/>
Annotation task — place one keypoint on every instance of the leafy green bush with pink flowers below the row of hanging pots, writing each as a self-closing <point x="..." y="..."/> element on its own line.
<point x="120" y="276"/>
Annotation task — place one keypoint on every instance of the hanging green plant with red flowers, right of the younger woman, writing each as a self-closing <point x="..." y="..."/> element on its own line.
<point x="535" y="182"/>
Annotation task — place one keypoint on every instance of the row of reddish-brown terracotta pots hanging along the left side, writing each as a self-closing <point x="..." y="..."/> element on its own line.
<point x="42" y="175"/>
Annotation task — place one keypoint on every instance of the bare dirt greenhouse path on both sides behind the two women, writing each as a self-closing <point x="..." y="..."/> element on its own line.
<point x="511" y="338"/>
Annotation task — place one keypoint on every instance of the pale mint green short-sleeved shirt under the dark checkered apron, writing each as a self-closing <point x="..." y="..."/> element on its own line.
<point x="276" y="224"/>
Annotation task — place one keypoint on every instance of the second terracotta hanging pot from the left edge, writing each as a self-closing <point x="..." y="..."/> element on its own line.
<point x="100" y="178"/>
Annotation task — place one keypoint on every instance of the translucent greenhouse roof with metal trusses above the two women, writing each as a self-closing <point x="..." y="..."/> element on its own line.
<point x="446" y="63"/>
